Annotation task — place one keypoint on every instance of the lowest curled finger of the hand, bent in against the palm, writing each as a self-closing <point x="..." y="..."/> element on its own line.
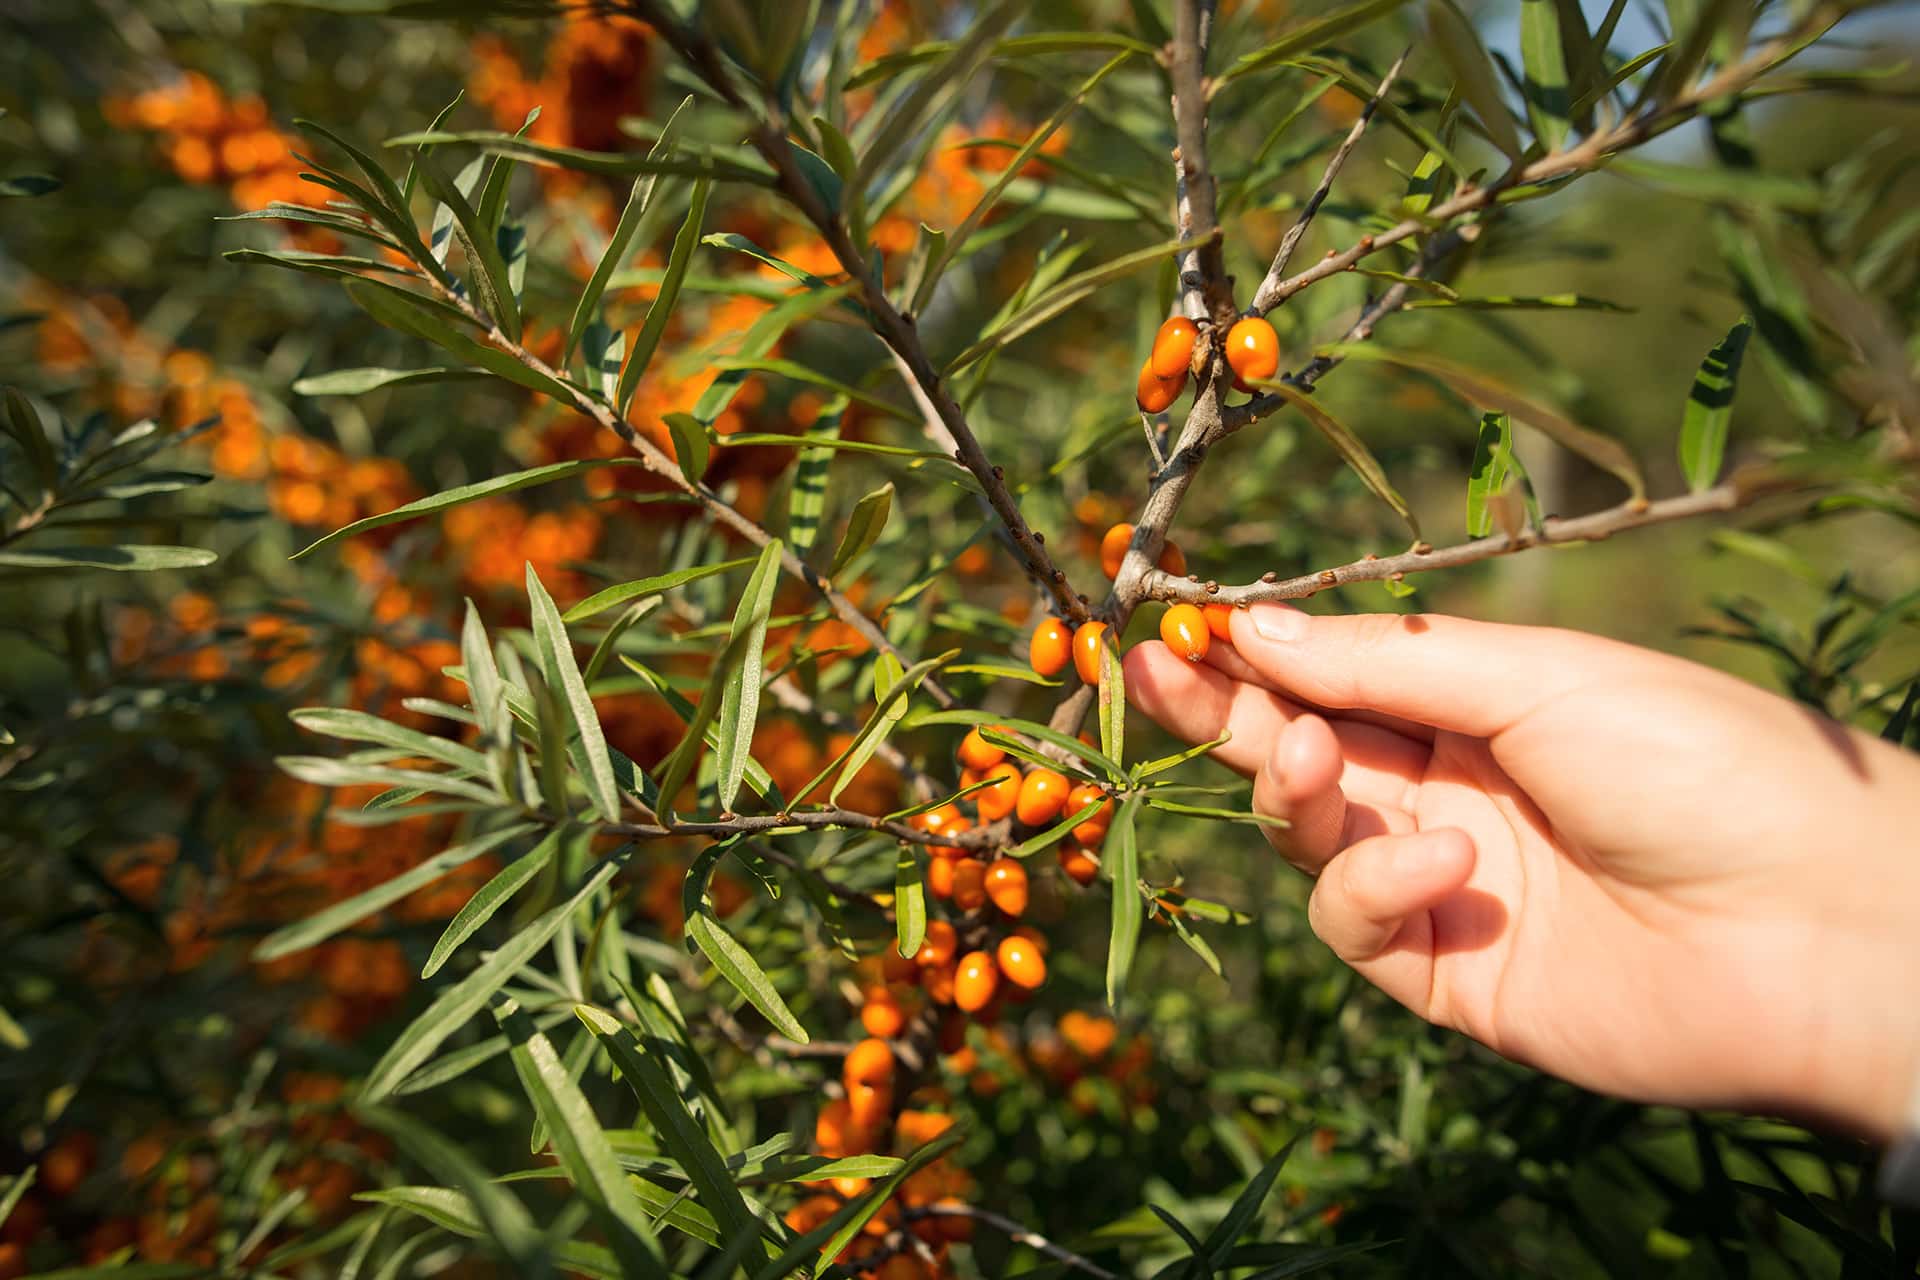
<point x="1372" y="905"/>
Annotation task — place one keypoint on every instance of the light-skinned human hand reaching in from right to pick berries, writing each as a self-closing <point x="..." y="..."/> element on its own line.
<point x="1618" y="866"/>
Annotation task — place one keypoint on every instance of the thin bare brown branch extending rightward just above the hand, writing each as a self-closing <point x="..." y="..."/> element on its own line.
<point x="1554" y="531"/>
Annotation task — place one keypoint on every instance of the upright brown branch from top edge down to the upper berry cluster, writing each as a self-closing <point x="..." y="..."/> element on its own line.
<point x="1207" y="291"/>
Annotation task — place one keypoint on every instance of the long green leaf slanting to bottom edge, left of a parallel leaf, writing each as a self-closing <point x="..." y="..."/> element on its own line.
<point x="581" y="1145"/>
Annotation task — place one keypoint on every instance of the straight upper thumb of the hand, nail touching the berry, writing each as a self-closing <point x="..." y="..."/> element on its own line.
<point x="1454" y="675"/>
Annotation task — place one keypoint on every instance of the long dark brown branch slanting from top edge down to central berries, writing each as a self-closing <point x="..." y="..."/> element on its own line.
<point x="896" y="329"/>
